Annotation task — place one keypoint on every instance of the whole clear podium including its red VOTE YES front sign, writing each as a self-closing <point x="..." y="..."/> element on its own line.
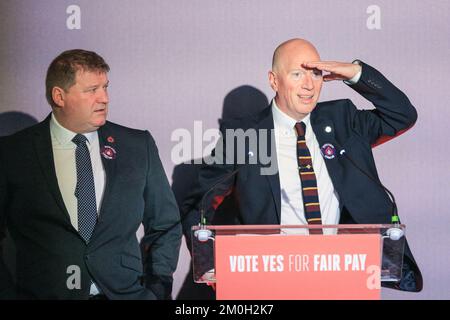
<point x="288" y="262"/>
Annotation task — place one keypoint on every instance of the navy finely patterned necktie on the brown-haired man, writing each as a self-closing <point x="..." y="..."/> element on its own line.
<point x="85" y="189"/>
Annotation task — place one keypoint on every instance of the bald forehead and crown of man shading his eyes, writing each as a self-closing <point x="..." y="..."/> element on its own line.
<point x="290" y="50"/>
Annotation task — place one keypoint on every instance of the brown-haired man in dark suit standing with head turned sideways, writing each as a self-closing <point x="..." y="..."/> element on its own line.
<point x="73" y="191"/>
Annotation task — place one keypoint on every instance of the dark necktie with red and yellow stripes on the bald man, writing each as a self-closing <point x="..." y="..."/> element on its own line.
<point x="308" y="179"/>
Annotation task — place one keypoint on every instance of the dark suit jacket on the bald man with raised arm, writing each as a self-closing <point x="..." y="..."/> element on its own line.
<point x="362" y="200"/>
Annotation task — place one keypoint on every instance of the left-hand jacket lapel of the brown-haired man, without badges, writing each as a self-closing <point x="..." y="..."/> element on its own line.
<point x="44" y="151"/>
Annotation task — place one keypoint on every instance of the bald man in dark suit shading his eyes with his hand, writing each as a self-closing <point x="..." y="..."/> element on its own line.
<point x="270" y="183"/>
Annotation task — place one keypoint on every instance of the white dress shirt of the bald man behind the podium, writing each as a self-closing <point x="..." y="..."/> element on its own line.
<point x="292" y="211"/>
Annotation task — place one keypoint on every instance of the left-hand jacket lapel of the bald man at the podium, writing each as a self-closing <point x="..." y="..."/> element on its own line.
<point x="266" y="123"/>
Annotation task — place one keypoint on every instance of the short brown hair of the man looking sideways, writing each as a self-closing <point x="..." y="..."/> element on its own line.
<point x="61" y="72"/>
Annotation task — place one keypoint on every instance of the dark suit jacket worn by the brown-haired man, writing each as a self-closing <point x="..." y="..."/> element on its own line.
<point x="32" y="208"/>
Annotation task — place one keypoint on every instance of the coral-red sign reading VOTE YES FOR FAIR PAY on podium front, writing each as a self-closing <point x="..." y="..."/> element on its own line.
<point x="268" y="267"/>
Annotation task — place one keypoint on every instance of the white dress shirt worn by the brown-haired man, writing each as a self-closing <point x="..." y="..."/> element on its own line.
<point x="66" y="172"/>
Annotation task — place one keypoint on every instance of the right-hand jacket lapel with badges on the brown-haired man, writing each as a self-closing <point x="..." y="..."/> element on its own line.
<point x="108" y="140"/>
